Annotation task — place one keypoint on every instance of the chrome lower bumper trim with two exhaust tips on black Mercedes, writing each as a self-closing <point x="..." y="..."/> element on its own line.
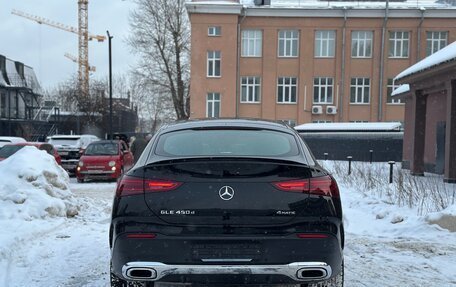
<point x="297" y="271"/>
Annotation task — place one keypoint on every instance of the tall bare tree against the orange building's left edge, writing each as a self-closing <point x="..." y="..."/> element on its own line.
<point x="161" y="36"/>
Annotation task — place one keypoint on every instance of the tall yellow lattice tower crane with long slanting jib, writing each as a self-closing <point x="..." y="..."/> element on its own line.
<point x="83" y="40"/>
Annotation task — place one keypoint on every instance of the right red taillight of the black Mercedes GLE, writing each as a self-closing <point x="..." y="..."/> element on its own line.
<point x="324" y="185"/>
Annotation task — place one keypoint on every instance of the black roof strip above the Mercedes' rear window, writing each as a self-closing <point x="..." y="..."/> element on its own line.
<point x="226" y="123"/>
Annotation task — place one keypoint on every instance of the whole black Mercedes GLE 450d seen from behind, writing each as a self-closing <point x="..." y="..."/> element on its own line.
<point x="227" y="201"/>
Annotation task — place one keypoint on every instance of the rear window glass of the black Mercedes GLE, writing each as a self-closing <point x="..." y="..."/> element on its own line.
<point x="262" y="143"/>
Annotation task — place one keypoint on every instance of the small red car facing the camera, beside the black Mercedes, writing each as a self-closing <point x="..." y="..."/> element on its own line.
<point x="104" y="160"/>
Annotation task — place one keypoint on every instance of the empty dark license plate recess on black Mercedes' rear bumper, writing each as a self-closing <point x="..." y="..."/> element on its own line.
<point x="214" y="251"/>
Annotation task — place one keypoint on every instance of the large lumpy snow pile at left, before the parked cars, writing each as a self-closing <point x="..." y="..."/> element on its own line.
<point x="33" y="185"/>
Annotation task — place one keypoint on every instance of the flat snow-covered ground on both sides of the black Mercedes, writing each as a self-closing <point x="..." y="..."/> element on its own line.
<point x="386" y="245"/>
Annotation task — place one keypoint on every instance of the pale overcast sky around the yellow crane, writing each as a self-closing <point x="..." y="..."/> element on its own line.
<point x="43" y="47"/>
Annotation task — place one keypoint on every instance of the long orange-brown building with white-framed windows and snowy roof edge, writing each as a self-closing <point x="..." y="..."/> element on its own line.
<point x="307" y="60"/>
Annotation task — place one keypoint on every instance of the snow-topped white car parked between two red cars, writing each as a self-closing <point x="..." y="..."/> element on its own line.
<point x="70" y="148"/>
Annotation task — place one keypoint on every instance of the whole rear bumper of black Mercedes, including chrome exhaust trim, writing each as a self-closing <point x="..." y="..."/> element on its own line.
<point x="264" y="260"/>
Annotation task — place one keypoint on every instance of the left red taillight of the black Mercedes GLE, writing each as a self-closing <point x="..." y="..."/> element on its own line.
<point x="133" y="185"/>
